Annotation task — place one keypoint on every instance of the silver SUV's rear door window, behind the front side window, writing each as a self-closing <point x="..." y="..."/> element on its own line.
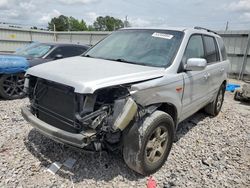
<point x="212" y="53"/>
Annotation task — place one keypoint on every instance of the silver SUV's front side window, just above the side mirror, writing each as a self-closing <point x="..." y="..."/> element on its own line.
<point x="194" y="48"/>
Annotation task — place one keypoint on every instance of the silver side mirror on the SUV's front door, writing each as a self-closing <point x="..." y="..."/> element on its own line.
<point x="196" y="64"/>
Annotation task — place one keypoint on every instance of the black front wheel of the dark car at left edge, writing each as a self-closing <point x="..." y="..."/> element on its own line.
<point x="11" y="86"/>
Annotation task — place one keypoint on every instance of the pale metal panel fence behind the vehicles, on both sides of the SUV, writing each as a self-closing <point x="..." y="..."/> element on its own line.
<point x="237" y="44"/>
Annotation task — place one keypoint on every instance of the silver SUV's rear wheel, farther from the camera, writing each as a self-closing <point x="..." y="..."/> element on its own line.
<point x="214" y="107"/>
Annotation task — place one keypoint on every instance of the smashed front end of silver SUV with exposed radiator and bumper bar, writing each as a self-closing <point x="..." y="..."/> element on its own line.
<point x="96" y="119"/>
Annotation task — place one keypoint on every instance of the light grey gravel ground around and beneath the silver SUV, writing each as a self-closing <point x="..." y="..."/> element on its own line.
<point x="208" y="152"/>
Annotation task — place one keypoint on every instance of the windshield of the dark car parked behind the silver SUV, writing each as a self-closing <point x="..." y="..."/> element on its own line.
<point x="37" y="50"/>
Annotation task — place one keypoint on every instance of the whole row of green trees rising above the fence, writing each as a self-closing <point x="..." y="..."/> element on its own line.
<point x="107" y="23"/>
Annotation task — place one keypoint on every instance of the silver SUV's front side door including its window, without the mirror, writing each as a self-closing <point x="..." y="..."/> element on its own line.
<point x="196" y="82"/>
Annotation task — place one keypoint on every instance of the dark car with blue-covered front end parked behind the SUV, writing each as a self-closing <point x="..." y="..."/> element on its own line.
<point x="13" y="66"/>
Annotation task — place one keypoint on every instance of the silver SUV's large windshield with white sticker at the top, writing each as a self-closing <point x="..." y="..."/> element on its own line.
<point x="144" y="47"/>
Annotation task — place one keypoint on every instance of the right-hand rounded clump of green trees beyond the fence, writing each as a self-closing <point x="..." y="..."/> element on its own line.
<point x="107" y="23"/>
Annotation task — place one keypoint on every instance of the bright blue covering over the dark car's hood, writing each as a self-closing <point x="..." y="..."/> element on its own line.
<point x="10" y="64"/>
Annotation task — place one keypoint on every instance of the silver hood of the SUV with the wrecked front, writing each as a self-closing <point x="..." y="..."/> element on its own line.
<point x="87" y="75"/>
